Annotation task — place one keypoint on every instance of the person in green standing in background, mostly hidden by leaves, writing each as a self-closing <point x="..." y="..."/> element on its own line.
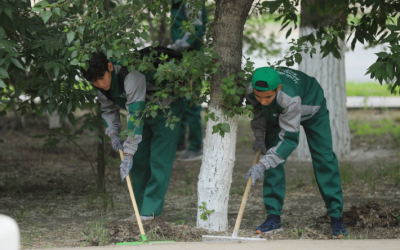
<point x="186" y="41"/>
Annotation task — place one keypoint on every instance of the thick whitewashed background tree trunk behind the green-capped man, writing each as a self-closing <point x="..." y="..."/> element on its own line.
<point x="331" y="75"/>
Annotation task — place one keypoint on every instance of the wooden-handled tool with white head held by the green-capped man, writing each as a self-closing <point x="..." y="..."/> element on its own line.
<point x="240" y="215"/>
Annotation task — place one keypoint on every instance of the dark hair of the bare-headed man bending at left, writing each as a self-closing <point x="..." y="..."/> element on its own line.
<point x="98" y="65"/>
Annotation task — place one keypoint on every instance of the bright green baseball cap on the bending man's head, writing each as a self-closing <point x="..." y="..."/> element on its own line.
<point x="268" y="75"/>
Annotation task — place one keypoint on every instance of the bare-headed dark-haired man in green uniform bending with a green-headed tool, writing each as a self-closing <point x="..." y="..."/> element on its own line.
<point x="152" y="149"/>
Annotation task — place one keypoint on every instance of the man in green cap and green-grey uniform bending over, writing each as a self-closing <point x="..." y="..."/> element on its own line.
<point x="283" y="100"/>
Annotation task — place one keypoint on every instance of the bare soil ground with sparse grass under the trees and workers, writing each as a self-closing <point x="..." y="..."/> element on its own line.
<point x="51" y="193"/>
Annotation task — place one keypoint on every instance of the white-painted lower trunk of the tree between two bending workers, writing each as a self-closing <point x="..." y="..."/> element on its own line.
<point x="215" y="176"/>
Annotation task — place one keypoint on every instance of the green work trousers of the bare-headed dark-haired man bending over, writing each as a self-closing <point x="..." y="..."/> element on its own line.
<point x="153" y="161"/>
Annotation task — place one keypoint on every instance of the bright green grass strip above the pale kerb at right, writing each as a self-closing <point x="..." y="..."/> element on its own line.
<point x="367" y="89"/>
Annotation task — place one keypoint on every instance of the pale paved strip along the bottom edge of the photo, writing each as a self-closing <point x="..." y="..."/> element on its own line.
<point x="268" y="245"/>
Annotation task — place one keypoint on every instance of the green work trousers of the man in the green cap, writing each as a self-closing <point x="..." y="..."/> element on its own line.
<point x="325" y="164"/>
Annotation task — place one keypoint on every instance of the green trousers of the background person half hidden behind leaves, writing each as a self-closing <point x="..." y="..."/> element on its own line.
<point x="191" y="119"/>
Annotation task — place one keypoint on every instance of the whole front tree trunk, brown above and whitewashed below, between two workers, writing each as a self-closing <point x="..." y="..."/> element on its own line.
<point x="219" y="152"/>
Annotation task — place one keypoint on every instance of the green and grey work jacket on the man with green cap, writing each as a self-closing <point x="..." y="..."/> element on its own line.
<point x="300" y="99"/>
